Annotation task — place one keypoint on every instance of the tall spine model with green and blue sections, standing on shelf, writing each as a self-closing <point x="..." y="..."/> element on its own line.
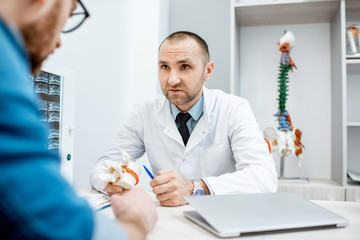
<point x="285" y="140"/>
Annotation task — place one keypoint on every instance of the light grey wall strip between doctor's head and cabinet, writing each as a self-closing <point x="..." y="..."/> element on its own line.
<point x="210" y="19"/>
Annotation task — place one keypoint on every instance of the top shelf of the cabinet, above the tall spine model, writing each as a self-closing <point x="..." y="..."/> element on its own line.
<point x="271" y="12"/>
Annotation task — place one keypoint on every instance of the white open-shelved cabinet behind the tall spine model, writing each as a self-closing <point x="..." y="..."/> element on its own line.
<point x="324" y="92"/>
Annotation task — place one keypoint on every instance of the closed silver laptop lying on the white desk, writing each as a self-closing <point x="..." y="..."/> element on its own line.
<point x="234" y="215"/>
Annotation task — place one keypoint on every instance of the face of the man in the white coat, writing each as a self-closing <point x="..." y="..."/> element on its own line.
<point x="182" y="72"/>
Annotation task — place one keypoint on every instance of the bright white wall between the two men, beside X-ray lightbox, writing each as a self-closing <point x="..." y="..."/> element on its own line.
<point x="115" y="57"/>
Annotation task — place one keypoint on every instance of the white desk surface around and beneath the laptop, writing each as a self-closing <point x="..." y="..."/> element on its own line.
<point x="173" y="225"/>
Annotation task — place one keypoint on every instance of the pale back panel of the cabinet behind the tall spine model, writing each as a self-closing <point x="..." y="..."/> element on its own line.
<point x="308" y="103"/>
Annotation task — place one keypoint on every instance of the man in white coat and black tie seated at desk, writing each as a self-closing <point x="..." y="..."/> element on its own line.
<point x="217" y="148"/>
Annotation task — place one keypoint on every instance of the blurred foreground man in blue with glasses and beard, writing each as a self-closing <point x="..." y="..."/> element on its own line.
<point x="36" y="202"/>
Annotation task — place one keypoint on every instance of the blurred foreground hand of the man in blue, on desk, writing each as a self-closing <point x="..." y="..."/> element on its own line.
<point x="136" y="211"/>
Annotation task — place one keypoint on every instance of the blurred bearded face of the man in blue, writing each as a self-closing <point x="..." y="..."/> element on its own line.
<point x="43" y="36"/>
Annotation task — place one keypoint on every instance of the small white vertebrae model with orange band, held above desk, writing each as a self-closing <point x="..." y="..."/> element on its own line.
<point x="124" y="173"/>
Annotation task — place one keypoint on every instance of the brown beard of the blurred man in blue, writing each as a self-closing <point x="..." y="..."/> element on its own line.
<point x="38" y="35"/>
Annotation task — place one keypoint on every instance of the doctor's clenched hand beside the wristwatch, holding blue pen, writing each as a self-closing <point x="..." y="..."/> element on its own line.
<point x="170" y="188"/>
